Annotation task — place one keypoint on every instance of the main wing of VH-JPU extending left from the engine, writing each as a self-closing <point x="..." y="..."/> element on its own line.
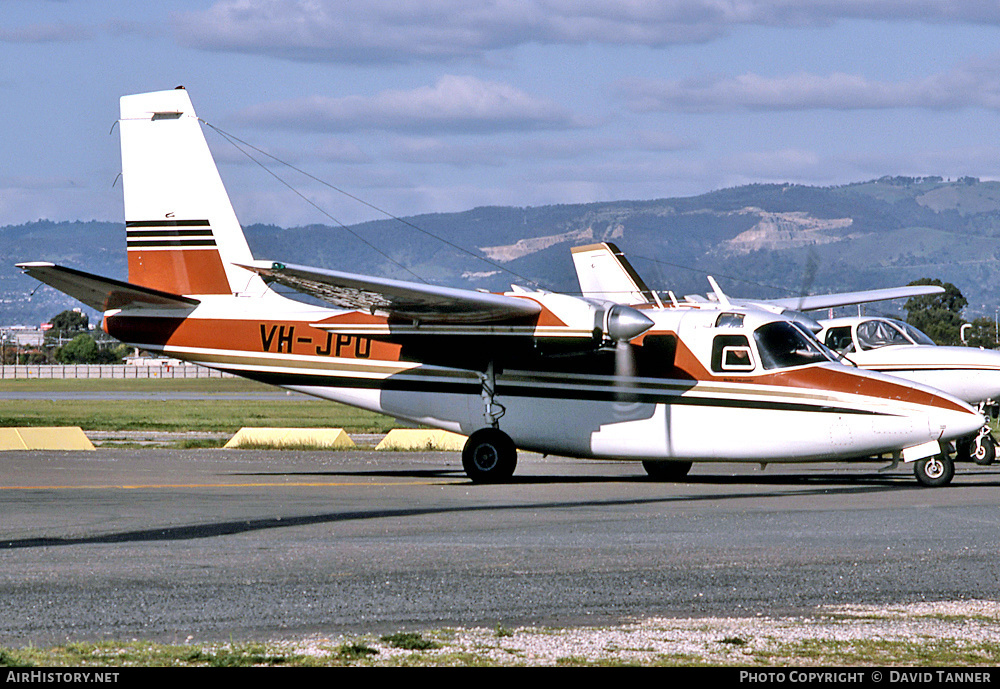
<point x="406" y="300"/>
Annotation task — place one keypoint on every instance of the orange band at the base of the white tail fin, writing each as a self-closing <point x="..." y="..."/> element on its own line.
<point x="179" y="271"/>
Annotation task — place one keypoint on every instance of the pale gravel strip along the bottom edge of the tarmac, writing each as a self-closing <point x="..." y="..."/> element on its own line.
<point x="965" y="626"/>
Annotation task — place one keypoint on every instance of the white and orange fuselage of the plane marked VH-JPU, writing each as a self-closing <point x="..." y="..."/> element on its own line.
<point x="817" y="411"/>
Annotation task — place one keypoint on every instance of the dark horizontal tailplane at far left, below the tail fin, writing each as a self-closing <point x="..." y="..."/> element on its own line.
<point x="101" y="293"/>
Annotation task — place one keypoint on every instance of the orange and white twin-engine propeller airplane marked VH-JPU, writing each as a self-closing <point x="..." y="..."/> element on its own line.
<point x="529" y="369"/>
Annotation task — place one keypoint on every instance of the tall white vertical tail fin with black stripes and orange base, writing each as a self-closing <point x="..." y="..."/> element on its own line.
<point x="182" y="233"/>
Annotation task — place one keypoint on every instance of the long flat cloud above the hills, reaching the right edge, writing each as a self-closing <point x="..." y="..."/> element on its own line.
<point x="974" y="84"/>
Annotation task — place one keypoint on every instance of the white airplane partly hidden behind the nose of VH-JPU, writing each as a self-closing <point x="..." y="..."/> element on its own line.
<point x="891" y="346"/>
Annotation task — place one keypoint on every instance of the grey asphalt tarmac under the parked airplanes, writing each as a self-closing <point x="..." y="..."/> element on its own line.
<point x="199" y="545"/>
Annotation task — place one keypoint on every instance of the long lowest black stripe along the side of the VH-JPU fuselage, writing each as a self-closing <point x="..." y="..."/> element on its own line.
<point x="603" y="393"/>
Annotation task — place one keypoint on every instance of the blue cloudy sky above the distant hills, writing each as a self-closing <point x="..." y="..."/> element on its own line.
<point x="441" y="105"/>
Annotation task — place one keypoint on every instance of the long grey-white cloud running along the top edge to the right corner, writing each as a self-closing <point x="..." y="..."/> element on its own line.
<point x="404" y="30"/>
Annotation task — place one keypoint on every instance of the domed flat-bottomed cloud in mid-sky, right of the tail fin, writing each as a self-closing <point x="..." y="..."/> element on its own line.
<point x="454" y="103"/>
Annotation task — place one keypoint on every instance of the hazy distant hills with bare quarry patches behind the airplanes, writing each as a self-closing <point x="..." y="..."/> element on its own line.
<point x="757" y="240"/>
